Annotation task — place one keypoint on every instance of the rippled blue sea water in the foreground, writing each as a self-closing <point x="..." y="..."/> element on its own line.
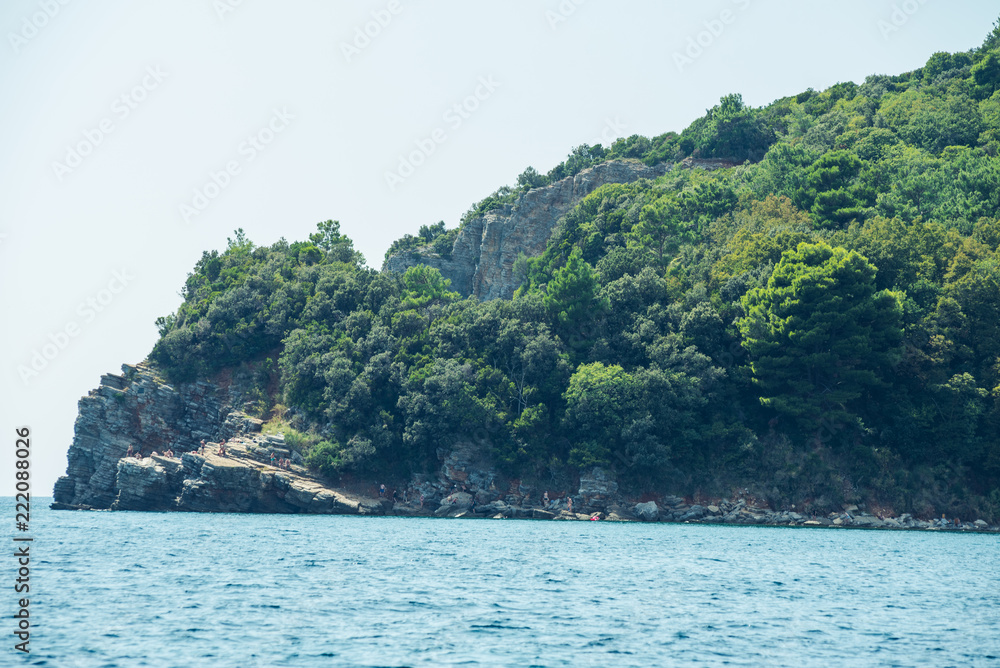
<point x="151" y="589"/>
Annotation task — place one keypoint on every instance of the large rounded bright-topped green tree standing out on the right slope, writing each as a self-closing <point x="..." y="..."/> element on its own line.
<point x="819" y="334"/>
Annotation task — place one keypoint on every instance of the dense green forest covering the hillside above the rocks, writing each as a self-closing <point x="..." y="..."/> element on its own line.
<point x="819" y="324"/>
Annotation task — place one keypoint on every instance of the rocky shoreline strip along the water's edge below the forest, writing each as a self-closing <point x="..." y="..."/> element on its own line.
<point x="243" y="482"/>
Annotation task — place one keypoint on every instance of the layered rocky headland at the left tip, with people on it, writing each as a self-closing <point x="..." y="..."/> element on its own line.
<point x="140" y="410"/>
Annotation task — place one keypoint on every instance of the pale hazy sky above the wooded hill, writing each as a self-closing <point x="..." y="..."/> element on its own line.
<point x="135" y="136"/>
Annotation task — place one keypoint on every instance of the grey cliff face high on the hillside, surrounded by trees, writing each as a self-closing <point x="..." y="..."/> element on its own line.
<point x="483" y="256"/>
